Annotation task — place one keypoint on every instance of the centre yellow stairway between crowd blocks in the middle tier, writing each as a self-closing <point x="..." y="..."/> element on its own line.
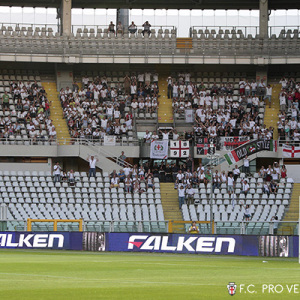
<point x="165" y="111"/>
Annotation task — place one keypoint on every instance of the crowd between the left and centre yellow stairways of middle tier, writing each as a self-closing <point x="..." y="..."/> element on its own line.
<point x="99" y="109"/>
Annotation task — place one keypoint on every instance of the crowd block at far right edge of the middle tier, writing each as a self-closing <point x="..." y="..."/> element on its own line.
<point x="289" y="121"/>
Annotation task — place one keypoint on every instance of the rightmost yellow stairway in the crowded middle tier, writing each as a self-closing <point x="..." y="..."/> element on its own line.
<point x="271" y="114"/>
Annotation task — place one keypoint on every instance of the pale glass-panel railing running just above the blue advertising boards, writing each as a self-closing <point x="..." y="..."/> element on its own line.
<point x="221" y="227"/>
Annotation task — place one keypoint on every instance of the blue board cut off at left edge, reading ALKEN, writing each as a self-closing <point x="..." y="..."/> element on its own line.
<point x="41" y="240"/>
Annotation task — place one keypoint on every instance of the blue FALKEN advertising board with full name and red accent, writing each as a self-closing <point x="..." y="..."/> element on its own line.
<point x="183" y="243"/>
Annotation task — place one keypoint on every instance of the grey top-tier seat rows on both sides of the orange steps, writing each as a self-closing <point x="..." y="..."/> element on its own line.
<point x="141" y="45"/>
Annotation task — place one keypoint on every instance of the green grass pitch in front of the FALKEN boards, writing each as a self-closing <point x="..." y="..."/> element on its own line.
<point x="29" y="274"/>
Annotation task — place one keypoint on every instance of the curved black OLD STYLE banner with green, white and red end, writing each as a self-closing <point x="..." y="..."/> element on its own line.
<point x="249" y="149"/>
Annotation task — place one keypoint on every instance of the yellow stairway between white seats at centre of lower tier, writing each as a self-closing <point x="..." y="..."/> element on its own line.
<point x="170" y="204"/>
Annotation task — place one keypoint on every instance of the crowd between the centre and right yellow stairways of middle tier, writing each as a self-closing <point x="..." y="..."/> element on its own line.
<point x="216" y="113"/>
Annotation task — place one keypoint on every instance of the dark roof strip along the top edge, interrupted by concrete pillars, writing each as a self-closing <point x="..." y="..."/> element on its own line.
<point x="160" y="4"/>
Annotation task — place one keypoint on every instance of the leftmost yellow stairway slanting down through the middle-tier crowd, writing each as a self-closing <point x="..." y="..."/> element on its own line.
<point x="62" y="131"/>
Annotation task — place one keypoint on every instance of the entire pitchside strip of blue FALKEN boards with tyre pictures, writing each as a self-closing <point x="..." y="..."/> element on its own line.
<point x="244" y="245"/>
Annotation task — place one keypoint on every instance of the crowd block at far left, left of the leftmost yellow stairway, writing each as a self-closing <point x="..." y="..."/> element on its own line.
<point x="26" y="112"/>
